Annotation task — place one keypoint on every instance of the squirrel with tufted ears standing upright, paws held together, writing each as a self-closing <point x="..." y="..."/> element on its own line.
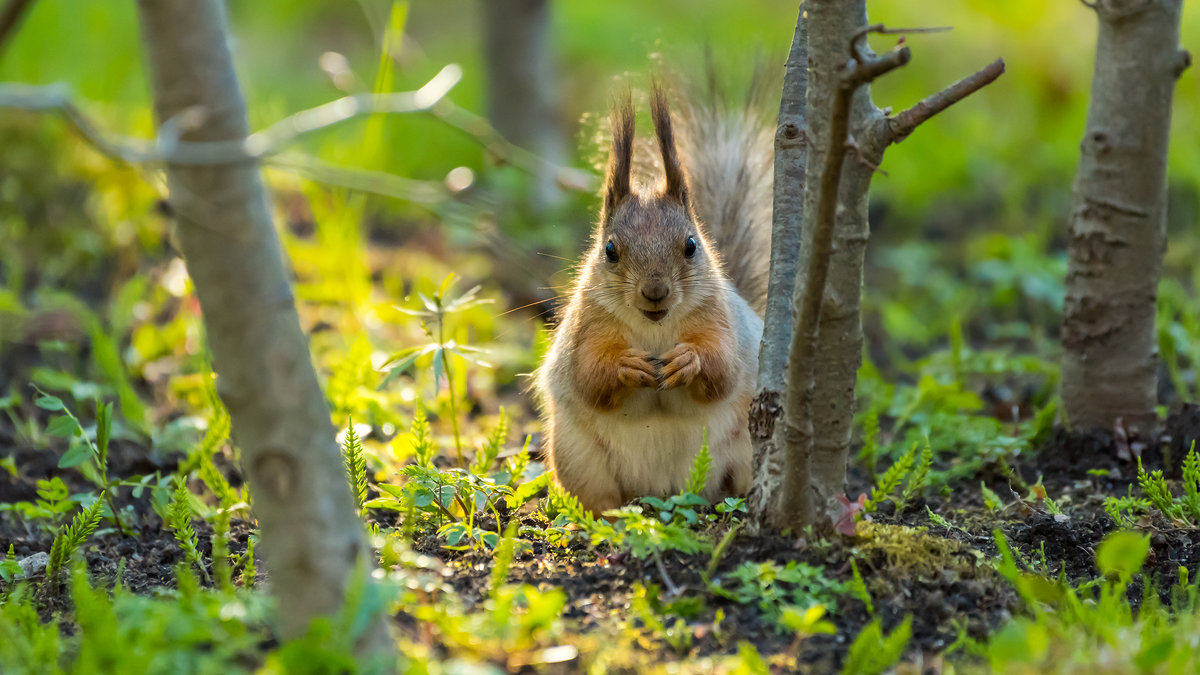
<point x="659" y="342"/>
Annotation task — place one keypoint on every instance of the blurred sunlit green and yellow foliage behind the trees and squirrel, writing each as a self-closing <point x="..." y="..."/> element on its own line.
<point x="968" y="224"/>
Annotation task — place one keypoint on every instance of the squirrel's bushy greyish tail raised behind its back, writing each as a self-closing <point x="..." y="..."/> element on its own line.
<point x="728" y="152"/>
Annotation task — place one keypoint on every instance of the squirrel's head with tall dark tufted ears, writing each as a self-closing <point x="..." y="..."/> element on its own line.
<point x="651" y="259"/>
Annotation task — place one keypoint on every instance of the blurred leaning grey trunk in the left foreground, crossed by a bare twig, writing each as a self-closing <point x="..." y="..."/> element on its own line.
<point x="313" y="542"/>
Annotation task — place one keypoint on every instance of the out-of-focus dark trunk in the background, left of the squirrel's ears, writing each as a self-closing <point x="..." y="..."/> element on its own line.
<point x="523" y="89"/>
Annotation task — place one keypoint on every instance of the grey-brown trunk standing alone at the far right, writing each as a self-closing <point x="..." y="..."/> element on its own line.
<point x="1118" y="228"/>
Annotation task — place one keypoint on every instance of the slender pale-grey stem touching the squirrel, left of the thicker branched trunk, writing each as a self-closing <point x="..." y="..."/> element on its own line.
<point x="788" y="217"/>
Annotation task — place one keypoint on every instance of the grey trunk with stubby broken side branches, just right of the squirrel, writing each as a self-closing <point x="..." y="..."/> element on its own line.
<point x="813" y="425"/>
